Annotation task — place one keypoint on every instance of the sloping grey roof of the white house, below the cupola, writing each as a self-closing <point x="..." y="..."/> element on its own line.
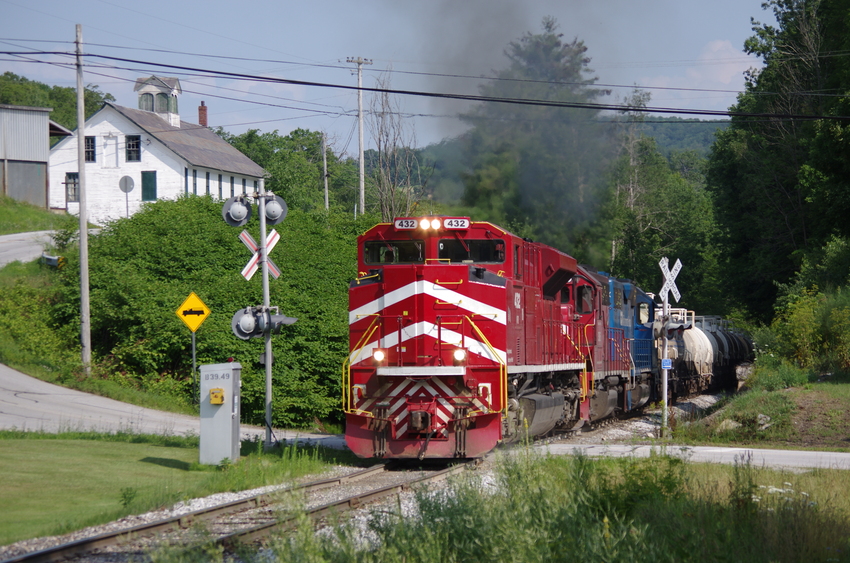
<point x="198" y="145"/>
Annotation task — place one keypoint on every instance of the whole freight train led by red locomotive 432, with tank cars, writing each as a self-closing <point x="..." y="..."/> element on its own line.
<point x="464" y="336"/>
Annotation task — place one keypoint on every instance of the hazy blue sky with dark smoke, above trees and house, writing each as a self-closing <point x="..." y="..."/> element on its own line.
<point x="674" y="49"/>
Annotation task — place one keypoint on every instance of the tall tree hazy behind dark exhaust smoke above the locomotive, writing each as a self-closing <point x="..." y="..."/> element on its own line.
<point x="540" y="165"/>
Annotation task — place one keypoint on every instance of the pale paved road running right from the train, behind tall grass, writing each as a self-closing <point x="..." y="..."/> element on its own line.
<point x="780" y="459"/>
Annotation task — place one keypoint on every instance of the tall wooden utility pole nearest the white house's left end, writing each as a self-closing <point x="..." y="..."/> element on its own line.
<point x="85" y="308"/>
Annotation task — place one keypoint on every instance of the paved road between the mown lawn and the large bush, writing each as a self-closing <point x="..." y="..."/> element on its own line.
<point x="30" y="404"/>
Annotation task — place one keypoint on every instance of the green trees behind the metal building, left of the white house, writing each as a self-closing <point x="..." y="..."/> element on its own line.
<point x="19" y="91"/>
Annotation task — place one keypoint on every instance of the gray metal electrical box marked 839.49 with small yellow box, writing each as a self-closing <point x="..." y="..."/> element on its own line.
<point x="220" y="395"/>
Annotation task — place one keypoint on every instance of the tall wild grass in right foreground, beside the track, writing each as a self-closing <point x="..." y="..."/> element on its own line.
<point x="542" y="509"/>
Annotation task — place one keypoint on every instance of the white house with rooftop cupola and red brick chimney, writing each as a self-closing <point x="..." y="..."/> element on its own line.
<point x="161" y="155"/>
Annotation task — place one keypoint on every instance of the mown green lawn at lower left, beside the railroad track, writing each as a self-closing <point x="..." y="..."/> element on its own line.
<point x="52" y="486"/>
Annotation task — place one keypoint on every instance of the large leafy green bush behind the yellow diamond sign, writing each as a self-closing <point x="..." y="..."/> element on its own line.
<point x="143" y="267"/>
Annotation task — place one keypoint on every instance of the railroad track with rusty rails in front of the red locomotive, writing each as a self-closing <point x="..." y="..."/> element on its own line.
<point x="244" y="521"/>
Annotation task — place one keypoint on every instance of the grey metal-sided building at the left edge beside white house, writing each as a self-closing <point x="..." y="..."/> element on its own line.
<point x="24" y="150"/>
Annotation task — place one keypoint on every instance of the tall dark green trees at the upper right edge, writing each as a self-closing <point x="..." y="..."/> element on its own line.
<point x="780" y="185"/>
